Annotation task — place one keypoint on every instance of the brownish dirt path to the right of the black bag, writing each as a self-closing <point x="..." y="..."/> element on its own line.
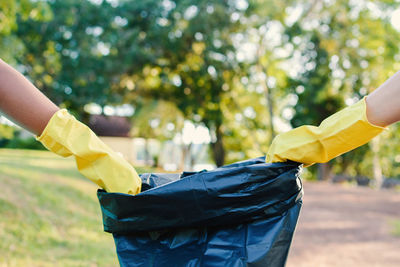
<point x="341" y="226"/>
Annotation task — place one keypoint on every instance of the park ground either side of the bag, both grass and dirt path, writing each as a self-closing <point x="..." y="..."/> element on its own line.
<point x="49" y="216"/>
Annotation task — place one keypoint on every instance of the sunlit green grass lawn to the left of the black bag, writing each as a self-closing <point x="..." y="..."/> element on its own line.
<point x="49" y="213"/>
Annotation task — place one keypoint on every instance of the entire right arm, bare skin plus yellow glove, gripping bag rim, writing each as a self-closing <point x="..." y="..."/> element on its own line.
<point x="341" y="132"/>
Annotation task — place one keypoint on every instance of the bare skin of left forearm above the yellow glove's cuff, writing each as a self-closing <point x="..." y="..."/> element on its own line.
<point x="22" y="102"/>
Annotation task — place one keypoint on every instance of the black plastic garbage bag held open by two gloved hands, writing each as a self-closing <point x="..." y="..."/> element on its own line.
<point x="243" y="214"/>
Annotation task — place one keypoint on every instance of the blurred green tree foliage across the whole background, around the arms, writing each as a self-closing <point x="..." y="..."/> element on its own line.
<point x="242" y="69"/>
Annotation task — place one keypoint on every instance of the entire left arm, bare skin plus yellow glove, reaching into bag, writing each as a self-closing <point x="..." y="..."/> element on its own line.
<point x="64" y="135"/>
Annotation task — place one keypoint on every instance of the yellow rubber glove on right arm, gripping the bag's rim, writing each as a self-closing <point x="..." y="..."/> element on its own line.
<point x="338" y="134"/>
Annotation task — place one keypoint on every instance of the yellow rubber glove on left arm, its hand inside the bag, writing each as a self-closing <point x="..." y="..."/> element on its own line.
<point x="66" y="136"/>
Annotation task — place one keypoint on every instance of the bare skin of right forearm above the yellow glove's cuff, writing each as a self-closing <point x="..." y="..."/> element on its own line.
<point x="383" y="105"/>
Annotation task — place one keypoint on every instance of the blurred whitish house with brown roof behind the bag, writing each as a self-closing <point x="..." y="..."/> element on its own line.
<point x="170" y="155"/>
